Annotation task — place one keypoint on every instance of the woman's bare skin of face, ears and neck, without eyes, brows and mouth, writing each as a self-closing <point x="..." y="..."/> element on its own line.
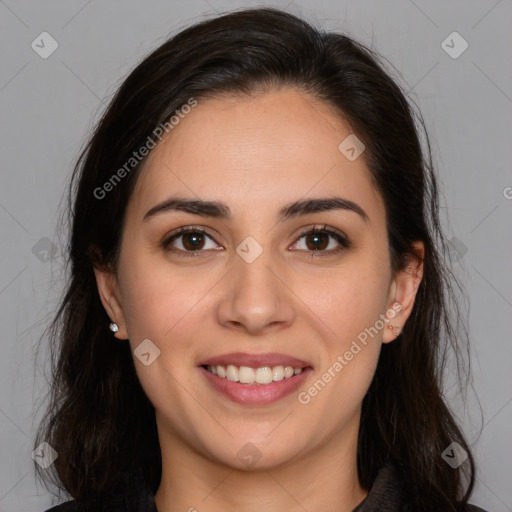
<point x="256" y="154"/>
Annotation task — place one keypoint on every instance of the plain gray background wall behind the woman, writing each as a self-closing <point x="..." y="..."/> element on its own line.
<point x="49" y="105"/>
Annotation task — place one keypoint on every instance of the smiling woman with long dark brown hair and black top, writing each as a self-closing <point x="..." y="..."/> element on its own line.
<point x="256" y="223"/>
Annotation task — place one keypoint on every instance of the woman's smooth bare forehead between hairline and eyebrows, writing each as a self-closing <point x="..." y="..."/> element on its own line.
<point x="256" y="152"/>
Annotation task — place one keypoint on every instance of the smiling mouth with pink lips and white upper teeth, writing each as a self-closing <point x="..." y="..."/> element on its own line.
<point x="255" y="379"/>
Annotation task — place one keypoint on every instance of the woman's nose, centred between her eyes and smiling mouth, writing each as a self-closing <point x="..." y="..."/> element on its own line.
<point x="256" y="297"/>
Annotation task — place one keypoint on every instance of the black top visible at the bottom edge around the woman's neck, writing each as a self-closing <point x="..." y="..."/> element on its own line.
<point x="133" y="494"/>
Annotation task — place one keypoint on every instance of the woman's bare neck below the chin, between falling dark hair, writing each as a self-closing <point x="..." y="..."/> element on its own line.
<point x="322" y="479"/>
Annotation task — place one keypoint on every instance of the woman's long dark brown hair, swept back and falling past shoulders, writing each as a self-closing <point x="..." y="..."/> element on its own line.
<point x="99" y="419"/>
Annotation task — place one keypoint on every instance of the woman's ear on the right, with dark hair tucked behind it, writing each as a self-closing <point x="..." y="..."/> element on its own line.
<point x="403" y="291"/>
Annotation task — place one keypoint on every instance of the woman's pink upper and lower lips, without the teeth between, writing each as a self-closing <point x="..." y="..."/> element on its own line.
<point x="249" y="394"/>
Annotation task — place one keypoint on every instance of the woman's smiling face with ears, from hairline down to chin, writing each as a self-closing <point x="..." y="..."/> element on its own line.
<point x="250" y="284"/>
